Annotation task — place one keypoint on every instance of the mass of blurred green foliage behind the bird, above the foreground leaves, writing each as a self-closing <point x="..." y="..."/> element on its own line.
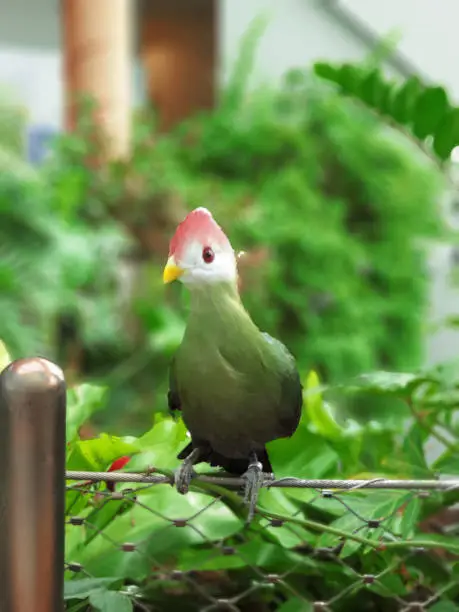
<point x="334" y="216"/>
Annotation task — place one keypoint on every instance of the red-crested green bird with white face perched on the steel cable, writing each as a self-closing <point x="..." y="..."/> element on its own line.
<point x="236" y="387"/>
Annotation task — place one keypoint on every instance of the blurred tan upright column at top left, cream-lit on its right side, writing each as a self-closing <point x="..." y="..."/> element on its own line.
<point x="96" y="42"/>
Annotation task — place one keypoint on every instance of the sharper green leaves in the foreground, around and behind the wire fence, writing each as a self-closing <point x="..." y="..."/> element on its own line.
<point x="321" y="448"/>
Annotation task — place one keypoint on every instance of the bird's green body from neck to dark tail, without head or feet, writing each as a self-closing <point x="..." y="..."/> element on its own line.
<point x="237" y="388"/>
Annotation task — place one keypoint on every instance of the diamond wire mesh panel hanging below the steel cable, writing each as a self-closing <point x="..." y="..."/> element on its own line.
<point x="314" y="545"/>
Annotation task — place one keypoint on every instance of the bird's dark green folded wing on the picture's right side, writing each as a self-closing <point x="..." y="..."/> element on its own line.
<point x="292" y="389"/>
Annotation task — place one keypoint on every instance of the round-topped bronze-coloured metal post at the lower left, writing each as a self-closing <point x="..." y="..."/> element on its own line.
<point x="32" y="486"/>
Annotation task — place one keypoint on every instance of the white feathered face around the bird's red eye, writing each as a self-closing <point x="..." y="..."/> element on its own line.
<point x="223" y="268"/>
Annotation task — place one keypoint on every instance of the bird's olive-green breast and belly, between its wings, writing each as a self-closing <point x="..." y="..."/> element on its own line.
<point x="229" y="386"/>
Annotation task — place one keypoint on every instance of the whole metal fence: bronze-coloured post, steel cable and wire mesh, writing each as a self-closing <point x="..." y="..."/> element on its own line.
<point x="295" y="557"/>
